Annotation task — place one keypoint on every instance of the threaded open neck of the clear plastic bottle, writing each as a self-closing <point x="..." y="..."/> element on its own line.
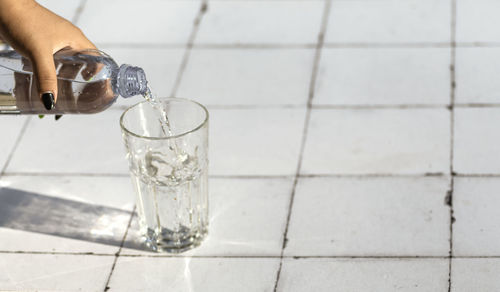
<point x="131" y="81"/>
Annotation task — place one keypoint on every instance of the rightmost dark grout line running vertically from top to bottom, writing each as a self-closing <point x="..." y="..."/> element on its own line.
<point x="449" y="196"/>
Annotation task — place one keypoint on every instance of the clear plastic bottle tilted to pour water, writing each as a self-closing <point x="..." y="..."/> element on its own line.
<point x="88" y="81"/>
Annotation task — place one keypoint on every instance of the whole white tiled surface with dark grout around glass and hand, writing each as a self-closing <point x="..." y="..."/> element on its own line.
<point x="353" y="147"/>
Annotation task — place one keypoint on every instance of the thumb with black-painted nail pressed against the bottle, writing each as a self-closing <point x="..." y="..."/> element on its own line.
<point x="45" y="74"/>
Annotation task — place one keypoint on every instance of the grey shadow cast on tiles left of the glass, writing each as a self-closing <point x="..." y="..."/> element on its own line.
<point x="38" y="213"/>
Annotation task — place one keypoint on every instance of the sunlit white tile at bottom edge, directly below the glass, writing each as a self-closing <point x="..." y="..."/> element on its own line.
<point x="194" y="274"/>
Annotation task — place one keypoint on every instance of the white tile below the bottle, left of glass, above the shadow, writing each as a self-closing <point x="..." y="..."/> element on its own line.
<point x="74" y="144"/>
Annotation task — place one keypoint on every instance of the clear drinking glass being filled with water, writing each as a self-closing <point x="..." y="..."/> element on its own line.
<point x="169" y="170"/>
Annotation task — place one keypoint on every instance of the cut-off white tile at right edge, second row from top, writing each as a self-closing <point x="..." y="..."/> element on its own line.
<point x="476" y="71"/>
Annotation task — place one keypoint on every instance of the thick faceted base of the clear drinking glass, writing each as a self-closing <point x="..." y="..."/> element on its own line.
<point x="174" y="242"/>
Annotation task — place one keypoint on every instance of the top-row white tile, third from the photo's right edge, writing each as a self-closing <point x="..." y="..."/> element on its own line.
<point x="250" y="22"/>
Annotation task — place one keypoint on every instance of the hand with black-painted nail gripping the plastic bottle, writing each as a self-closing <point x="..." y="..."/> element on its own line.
<point x="37" y="34"/>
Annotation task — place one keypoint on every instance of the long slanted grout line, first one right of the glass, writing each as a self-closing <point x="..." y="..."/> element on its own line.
<point x="312" y="85"/>
